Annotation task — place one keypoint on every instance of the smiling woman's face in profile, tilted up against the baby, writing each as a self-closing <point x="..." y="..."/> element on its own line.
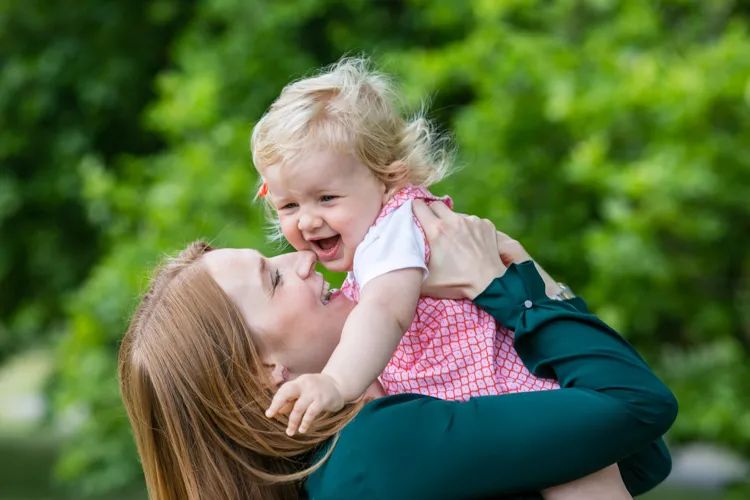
<point x="284" y="302"/>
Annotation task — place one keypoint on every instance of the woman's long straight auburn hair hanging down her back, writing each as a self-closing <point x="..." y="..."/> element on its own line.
<point x="196" y="390"/>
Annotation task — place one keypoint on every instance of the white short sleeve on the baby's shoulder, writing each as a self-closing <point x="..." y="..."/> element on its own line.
<point x="393" y="243"/>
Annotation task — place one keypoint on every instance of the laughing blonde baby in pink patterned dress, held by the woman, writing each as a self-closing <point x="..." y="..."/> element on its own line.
<point x="341" y="168"/>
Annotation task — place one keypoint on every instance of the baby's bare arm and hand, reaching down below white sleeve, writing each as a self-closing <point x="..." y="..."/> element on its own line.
<point x="370" y="336"/>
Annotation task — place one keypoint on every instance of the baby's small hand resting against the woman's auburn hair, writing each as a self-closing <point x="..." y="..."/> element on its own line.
<point x="313" y="393"/>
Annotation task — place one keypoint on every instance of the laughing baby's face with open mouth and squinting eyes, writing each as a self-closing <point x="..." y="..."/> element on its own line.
<point x="326" y="201"/>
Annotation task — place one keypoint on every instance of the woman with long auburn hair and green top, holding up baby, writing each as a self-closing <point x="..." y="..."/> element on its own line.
<point x="219" y="330"/>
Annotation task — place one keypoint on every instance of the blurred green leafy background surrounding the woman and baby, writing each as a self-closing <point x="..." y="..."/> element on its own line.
<point x="611" y="137"/>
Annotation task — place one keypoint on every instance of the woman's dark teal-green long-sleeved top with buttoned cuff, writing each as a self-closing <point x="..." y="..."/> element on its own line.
<point x="611" y="408"/>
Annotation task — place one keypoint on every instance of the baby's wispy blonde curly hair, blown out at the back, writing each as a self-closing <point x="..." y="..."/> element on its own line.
<point x="351" y="108"/>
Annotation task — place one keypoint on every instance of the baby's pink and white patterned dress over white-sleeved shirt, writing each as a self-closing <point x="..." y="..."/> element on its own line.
<point x="453" y="350"/>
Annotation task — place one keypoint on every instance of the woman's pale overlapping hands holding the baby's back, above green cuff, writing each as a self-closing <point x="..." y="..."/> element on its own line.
<point x="467" y="253"/>
